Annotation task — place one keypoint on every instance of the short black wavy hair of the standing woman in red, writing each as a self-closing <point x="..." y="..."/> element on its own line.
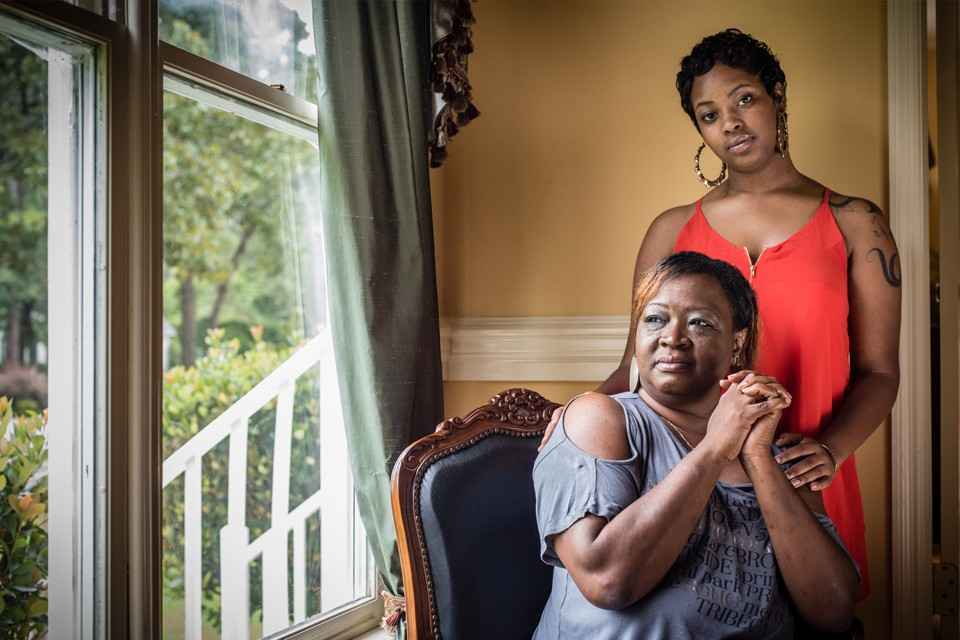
<point x="733" y="48"/>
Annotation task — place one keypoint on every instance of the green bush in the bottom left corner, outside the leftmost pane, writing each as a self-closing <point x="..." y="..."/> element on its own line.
<point x="23" y="522"/>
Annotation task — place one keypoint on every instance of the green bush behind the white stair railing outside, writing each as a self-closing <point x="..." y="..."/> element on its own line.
<point x="192" y="398"/>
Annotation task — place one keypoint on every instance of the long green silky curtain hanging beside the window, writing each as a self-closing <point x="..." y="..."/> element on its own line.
<point x="375" y="112"/>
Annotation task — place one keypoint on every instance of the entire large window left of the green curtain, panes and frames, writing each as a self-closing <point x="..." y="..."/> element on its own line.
<point x="171" y="294"/>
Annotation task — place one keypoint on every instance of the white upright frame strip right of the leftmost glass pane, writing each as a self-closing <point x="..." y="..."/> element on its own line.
<point x="76" y="358"/>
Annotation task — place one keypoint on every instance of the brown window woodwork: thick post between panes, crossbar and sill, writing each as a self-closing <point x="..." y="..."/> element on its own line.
<point x="132" y="65"/>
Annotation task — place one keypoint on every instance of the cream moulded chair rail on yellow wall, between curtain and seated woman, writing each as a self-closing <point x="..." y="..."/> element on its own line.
<point x="521" y="349"/>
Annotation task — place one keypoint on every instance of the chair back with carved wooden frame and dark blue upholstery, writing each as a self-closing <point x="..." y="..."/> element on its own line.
<point x="463" y="505"/>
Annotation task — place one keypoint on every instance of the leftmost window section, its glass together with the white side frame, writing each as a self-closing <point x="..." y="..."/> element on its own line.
<point x="49" y="530"/>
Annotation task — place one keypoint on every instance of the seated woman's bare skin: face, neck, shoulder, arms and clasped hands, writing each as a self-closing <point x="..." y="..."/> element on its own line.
<point x="685" y="344"/>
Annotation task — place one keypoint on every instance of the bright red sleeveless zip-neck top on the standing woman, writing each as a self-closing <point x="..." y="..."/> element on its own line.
<point x="801" y="287"/>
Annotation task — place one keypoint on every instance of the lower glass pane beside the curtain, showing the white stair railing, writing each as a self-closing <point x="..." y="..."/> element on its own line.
<point x="258" y="513"/>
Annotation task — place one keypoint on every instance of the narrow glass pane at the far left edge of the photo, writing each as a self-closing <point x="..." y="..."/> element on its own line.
<point x="23" y="314"/>
